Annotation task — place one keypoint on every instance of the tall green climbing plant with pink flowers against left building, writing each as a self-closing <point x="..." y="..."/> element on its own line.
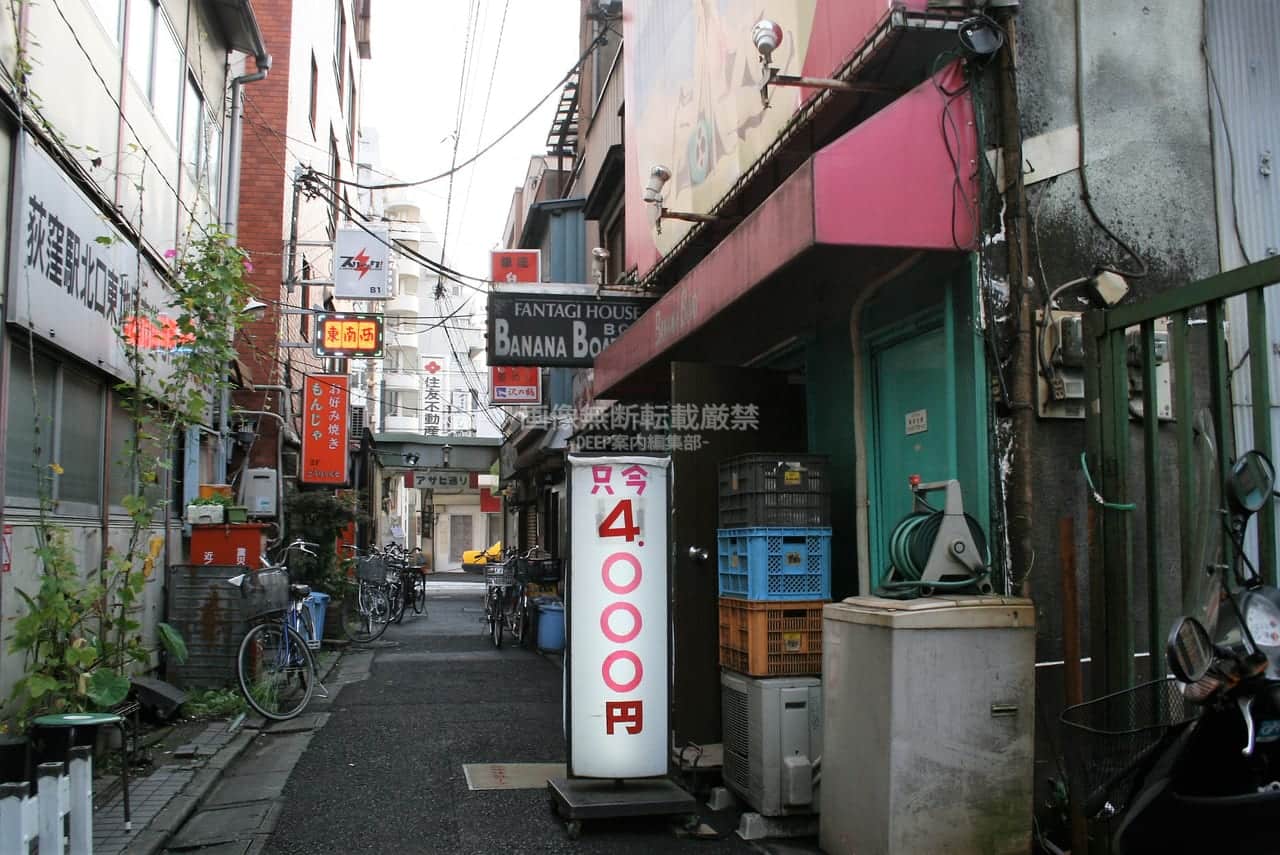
<point x="83" y="637"/>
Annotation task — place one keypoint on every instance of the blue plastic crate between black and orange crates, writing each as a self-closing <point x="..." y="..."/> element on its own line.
<point x="775" y="564"/>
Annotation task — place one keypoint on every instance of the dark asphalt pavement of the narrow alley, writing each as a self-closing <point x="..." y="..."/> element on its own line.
<point x="382" y="772"/>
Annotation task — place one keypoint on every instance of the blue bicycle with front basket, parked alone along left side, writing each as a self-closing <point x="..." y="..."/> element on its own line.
<point x="275" y="666"/>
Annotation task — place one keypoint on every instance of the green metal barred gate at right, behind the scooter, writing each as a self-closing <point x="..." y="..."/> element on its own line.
<point x="1131" y="496"/>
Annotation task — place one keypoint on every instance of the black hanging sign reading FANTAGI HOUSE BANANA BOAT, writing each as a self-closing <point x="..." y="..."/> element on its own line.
<point x="532" y="326"/>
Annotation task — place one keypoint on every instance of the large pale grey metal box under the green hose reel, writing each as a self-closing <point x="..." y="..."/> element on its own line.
<point x="929" y="725"/>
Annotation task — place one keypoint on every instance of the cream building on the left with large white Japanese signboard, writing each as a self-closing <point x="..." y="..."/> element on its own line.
<point x="116" y="152"/>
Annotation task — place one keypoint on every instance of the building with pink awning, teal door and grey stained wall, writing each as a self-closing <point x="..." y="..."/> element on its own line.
<point x="862" y="267"/>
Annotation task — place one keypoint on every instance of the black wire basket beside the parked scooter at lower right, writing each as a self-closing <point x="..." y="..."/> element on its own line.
<point x="1109" y="740"/>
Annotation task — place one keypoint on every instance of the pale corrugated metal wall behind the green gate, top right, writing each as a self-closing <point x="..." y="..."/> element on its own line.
<point x="1245" y="99"/>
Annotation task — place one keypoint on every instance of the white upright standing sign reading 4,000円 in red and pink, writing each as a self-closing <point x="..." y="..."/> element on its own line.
<point x="618" y="618"/>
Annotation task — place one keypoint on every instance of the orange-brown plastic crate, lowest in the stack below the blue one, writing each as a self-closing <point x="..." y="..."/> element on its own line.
<point x="771" y="639"/>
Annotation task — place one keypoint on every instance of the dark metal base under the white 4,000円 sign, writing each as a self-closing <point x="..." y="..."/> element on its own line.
<point x="578" y="799"/>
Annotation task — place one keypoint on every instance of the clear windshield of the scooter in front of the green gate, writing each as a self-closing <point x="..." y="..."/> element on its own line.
<point x="1203" y="577"/>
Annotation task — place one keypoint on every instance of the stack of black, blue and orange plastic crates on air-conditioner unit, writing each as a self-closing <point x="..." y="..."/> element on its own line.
<point x="774" y="552"/>
